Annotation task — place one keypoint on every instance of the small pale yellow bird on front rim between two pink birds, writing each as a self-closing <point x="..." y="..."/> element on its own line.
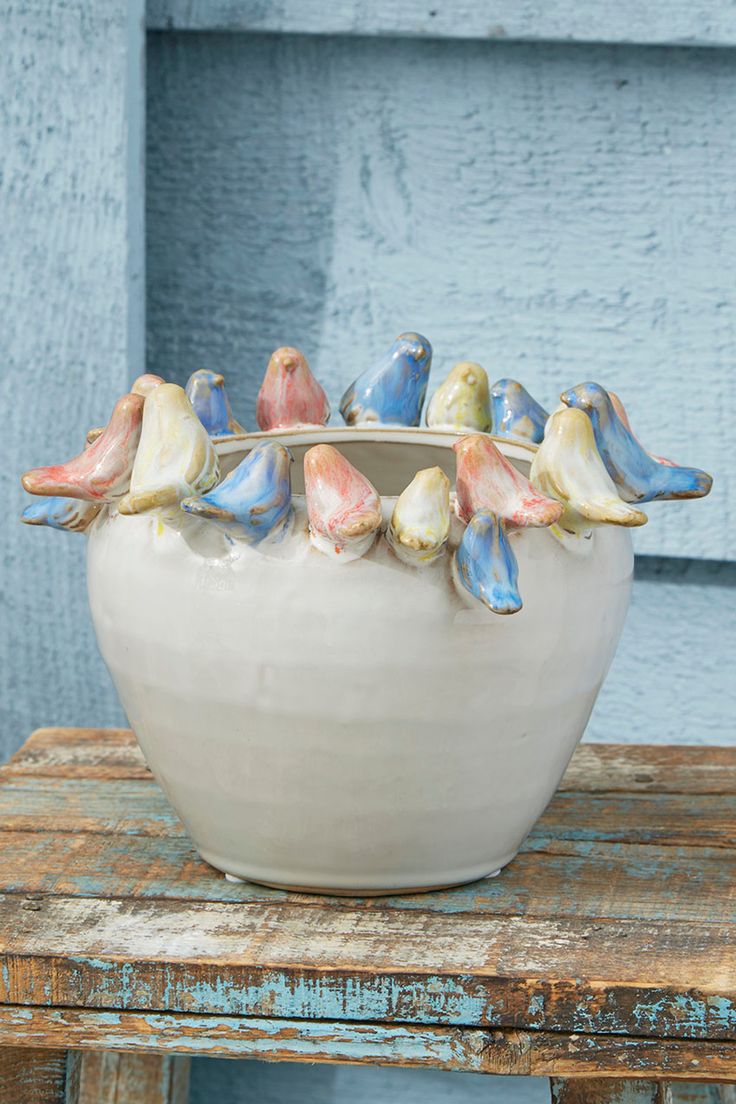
<point x="421" y="523"/>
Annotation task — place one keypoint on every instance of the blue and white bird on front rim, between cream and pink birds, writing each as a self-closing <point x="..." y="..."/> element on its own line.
<point x="257" y="495"/>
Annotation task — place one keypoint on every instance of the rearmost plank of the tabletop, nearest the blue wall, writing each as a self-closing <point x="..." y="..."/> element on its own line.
<point x="114" y="753"/>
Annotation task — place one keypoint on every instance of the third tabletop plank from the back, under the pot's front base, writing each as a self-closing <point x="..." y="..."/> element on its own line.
<point x="550" y="878"/>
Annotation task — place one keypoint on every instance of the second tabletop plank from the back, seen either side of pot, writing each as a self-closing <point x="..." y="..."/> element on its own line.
<point x="137" y="808"/>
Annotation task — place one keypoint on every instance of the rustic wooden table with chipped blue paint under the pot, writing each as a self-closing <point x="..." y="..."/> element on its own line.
<point x="604" y="952"/>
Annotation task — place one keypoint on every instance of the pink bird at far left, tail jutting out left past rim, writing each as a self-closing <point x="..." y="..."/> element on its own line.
<point x="102" y="473"/>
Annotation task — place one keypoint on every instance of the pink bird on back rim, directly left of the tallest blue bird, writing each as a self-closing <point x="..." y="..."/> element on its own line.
<point x="290" y="395"/>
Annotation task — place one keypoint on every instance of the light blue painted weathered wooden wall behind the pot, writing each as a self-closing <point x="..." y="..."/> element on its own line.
<point x="559" y="210"/>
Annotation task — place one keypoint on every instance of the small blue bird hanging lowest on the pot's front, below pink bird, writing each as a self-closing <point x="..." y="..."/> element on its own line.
<point x="485" y="565"/>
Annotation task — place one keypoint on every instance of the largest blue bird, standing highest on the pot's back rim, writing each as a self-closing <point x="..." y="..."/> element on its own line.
<point x="392" y="392"/>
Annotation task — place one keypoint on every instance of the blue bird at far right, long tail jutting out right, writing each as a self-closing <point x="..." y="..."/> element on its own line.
<point x="637" y="475"/>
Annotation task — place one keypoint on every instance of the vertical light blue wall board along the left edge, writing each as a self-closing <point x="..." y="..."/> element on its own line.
<point x="71" y="133"/>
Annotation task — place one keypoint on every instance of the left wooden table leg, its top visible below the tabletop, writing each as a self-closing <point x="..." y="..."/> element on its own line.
<point x="110" y="1078"/>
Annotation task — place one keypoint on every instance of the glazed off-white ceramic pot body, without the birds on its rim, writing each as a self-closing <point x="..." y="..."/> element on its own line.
<point x="360" y="727"/>
